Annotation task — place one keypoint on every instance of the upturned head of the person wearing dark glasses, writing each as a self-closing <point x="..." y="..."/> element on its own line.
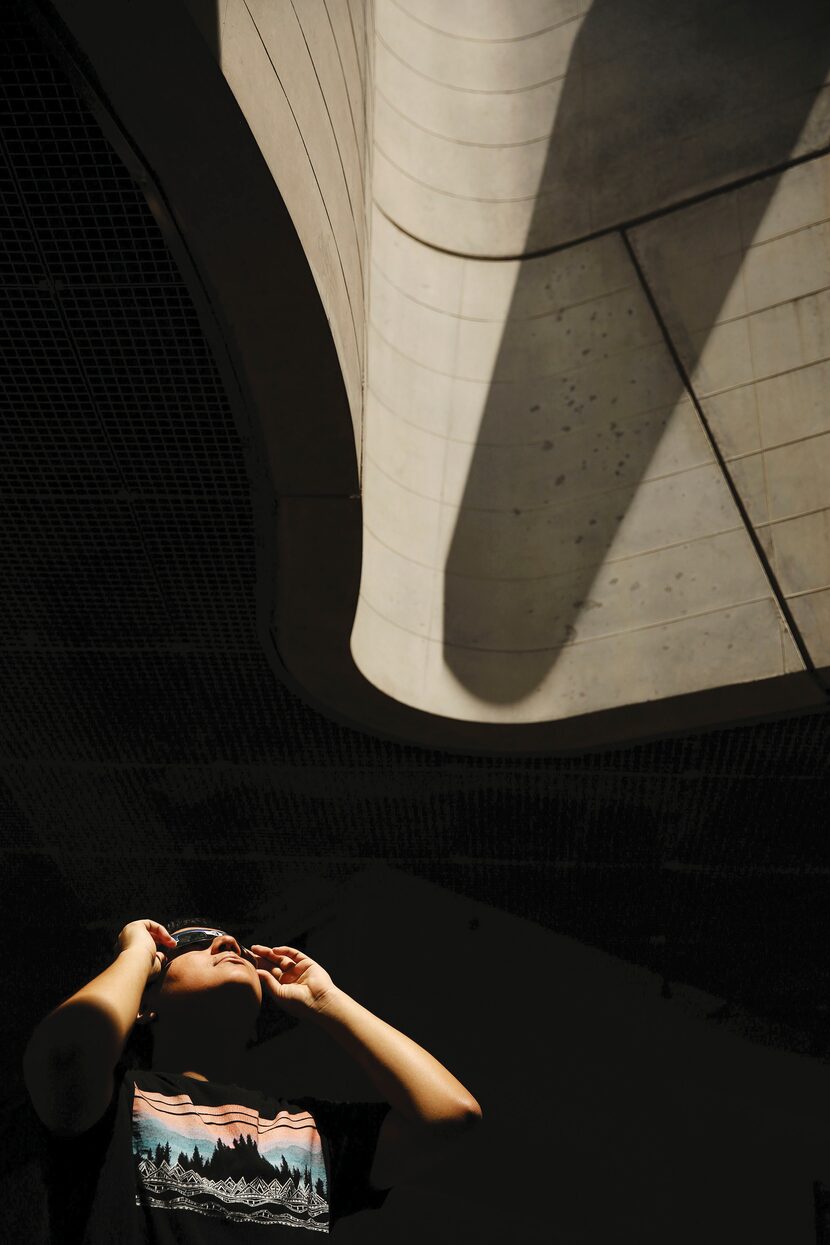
<point x="205" y="1004"/>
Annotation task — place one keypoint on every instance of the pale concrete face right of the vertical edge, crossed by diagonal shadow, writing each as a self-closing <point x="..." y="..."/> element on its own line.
<point x="548" y="530"/>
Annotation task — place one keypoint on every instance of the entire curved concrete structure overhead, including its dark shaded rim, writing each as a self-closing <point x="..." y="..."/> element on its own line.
<point x="573" y="262"/>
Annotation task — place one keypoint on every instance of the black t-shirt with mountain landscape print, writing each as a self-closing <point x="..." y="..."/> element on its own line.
<point x="175" y="1160"/>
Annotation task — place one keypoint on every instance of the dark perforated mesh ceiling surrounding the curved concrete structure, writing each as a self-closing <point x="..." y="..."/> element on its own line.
<point x="141" y="721"/>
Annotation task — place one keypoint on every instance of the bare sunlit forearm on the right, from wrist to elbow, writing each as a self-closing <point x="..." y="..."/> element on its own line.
<point x="408" y="1076"/>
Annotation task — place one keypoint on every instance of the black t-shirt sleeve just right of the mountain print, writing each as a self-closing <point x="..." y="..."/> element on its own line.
<point x="350" y="1130"/>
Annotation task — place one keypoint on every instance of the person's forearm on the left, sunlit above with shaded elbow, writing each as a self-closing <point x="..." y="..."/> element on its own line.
<point x="98" y="1019"/>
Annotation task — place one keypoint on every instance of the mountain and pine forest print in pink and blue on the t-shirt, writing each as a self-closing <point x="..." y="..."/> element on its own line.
<point x="228" y="1162"/>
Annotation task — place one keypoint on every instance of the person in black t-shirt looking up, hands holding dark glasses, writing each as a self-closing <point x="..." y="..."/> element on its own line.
<point x="182" y="1151"/>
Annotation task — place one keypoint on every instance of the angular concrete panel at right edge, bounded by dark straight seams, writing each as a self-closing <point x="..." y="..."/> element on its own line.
<point x="762" y="368"/>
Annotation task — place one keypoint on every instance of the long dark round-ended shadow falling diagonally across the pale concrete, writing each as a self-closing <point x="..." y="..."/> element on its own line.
<point x="661" y="104"/>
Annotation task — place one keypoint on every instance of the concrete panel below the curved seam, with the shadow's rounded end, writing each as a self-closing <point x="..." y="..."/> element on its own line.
<point x="546" y="524"/>
